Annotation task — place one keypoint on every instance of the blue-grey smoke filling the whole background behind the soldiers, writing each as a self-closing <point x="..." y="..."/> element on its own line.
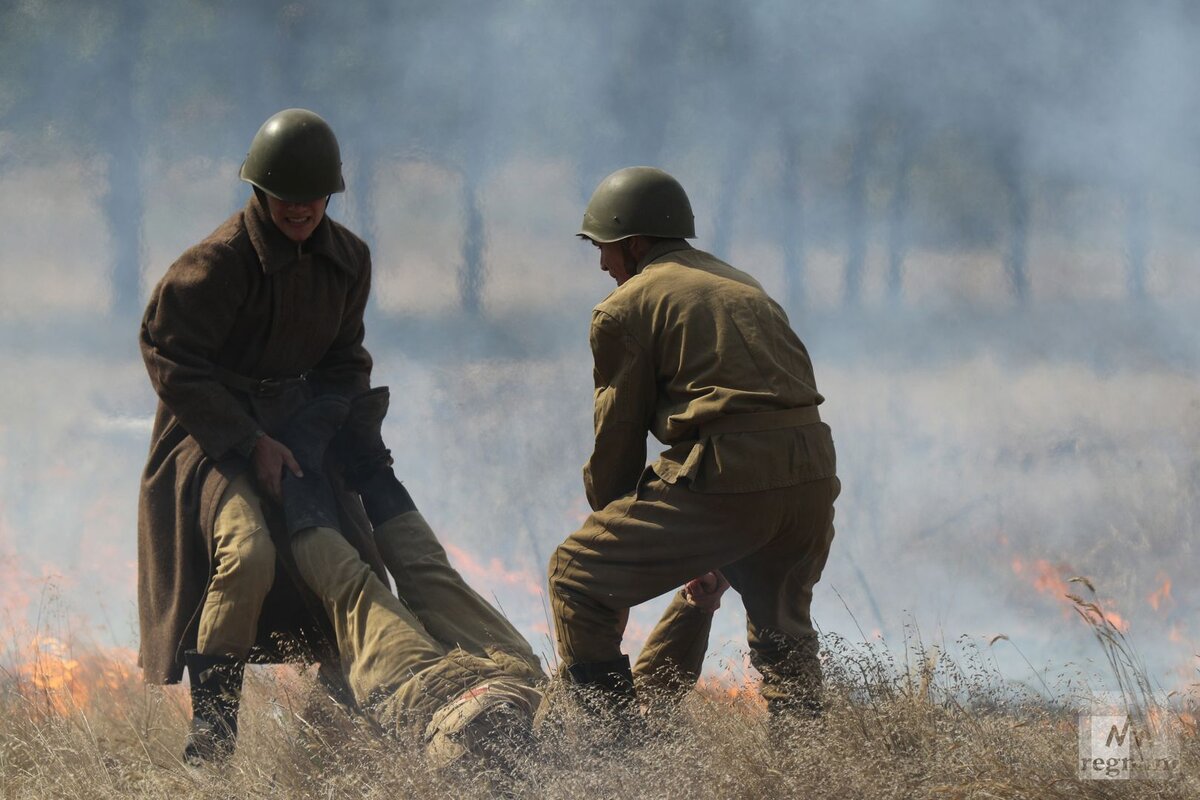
<point x="980" y="216"/>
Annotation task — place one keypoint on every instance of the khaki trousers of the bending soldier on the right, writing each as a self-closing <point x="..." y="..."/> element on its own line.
<point x="771" y="545"/>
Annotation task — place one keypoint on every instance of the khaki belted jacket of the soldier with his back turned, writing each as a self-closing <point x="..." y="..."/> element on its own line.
<point x="686" y="342"/>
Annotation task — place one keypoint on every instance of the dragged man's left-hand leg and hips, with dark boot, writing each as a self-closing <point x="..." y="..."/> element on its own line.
<point x="397" y="671"/>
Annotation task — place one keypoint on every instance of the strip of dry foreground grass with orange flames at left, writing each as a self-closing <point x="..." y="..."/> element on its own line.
<point x="916" y="721"/>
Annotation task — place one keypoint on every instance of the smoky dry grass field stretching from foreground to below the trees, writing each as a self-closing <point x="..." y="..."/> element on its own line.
<point x="934" y="460"/>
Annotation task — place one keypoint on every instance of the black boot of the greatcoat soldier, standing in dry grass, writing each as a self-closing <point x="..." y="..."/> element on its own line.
<point x="217" y="696"/>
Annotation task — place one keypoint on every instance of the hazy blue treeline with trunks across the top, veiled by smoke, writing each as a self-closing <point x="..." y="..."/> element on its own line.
<point x="935" y="124"/>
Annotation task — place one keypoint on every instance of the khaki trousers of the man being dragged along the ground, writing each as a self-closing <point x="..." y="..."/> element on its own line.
<point x="397" y="669"/>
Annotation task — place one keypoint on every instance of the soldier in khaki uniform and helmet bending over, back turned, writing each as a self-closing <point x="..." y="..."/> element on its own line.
<point x="694" y="351"/>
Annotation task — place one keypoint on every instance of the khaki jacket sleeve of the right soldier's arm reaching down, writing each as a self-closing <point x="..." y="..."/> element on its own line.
<point x="625" y="406"/>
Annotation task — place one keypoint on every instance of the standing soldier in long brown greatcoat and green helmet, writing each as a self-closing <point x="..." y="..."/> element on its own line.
<point x="241" y="333"/>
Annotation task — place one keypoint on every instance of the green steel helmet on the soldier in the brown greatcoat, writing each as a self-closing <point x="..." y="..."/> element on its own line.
<point x="295" y="158"/>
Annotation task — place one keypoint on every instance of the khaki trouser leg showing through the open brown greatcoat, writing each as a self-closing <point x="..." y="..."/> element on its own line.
<point x="244" y="570"/>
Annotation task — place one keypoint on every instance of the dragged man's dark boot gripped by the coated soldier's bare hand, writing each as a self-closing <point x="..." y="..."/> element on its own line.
<point x="309" y="502"/>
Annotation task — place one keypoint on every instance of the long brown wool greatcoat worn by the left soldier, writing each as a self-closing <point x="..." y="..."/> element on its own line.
<point x="250" y="302"/>
